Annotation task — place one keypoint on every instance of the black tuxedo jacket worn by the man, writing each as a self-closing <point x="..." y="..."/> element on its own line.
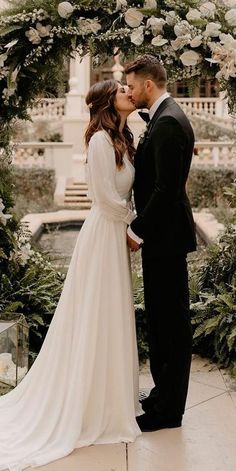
<point x="162" y="162"/>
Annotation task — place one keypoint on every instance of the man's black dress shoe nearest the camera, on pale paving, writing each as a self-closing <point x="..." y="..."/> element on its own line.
<point x="149" y="423"/>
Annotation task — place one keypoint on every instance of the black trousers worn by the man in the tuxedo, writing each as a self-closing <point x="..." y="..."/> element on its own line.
<point x="166" y="297"/>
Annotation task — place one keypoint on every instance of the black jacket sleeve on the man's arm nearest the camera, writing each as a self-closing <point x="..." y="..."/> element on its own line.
<point x="167" y="145"/>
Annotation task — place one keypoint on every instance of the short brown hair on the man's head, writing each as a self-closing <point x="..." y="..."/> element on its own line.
<point x="148" y="67"/>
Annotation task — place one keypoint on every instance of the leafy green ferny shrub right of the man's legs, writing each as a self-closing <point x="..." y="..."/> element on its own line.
<point x="213" y="295"/>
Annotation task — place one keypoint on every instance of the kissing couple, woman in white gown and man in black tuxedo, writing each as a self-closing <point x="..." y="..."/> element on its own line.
<point x="83" y="387"/>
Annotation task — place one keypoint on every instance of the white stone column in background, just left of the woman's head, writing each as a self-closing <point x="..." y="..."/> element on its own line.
<point x="76" y="113"/>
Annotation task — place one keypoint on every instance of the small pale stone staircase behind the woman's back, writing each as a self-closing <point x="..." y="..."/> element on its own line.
<point x="76" y="195"/>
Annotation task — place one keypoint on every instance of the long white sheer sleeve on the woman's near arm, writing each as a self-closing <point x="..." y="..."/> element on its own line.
<point x="102" y="171"/>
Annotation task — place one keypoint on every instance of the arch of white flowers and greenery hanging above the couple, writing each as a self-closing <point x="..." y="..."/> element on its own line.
<point x="192" y="38"/>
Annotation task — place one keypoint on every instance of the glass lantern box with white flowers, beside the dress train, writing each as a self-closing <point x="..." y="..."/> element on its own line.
<point x="14" y="350"/>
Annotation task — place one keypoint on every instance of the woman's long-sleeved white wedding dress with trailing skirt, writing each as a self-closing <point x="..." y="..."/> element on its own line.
<point x="83" y="387"/>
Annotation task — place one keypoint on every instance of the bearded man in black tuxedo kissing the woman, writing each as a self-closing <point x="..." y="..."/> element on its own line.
<point x="165" y="228"/>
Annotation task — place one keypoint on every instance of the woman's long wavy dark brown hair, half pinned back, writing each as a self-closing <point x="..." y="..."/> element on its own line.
<point x="103" y="115"/>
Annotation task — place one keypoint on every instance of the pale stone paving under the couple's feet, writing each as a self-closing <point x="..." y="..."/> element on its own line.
<point x="205" y="442"/>
